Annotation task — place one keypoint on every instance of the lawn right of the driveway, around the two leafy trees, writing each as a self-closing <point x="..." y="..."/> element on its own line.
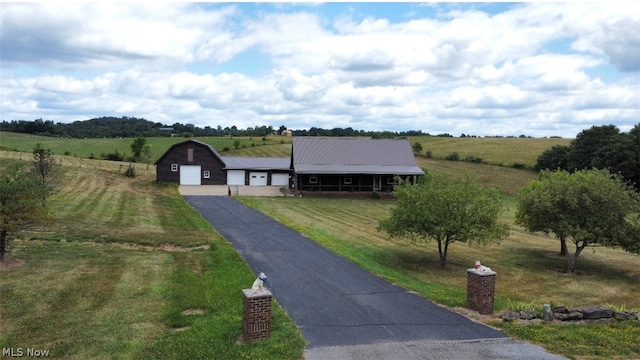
<point x="528" y="266"/>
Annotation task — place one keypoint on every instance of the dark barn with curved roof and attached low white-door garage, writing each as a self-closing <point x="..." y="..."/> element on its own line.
<point x="193" y="162"/>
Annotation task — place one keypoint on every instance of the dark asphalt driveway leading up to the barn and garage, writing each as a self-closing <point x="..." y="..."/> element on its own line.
<point x="336" y="304"/>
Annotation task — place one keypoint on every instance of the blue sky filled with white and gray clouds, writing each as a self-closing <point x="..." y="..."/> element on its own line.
<point x="551" y="69"/>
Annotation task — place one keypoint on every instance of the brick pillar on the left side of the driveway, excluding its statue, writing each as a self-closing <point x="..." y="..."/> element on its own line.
<point x="256" y="314"/>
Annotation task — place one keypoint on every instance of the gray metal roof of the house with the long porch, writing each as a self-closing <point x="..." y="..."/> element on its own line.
<point x="353" y="156"/>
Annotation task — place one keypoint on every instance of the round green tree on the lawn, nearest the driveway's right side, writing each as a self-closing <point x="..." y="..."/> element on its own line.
<point x="446" y="211"/>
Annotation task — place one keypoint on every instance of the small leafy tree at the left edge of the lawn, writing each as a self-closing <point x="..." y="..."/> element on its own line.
<point x="20" y="205"/>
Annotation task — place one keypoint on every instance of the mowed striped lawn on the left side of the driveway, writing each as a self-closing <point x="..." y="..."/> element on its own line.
<point x="128" y="270"/>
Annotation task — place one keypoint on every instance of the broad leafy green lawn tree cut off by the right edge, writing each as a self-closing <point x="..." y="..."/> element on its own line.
<point x="587" y="207"/>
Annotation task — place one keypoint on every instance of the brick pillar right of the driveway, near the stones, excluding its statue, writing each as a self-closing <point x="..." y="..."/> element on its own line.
<point x="481" y="287"/>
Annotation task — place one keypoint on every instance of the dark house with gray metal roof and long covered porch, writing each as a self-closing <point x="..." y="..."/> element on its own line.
<point x="350" y="165"/>
